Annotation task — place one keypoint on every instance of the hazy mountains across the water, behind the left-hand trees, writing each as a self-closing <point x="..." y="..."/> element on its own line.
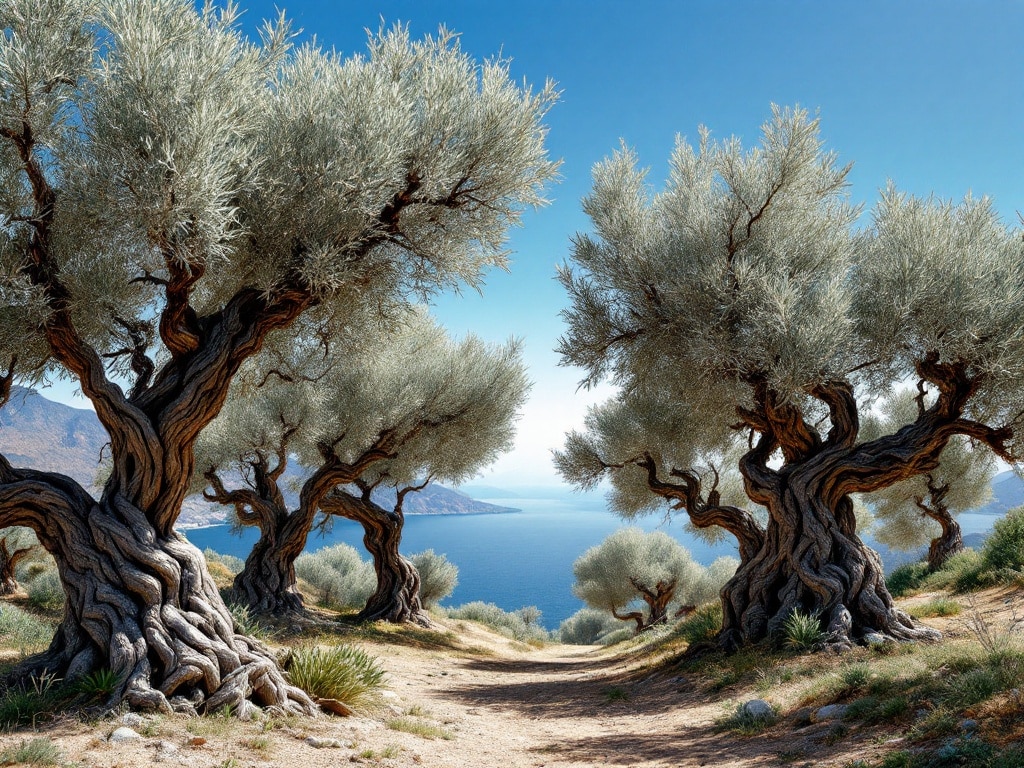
<point x="44" y="435"/>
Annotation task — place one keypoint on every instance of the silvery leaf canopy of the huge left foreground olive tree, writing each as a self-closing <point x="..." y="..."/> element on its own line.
<point x="172" y="138"/>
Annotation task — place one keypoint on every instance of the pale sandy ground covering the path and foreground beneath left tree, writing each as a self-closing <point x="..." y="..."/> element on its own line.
<point x="496" y="704"/>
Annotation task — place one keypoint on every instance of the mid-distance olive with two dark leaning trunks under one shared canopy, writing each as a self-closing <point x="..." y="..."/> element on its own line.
<point x="390" y="412"/>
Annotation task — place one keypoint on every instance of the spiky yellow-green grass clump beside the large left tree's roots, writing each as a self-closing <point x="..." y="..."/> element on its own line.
<point x="342" y="672"/>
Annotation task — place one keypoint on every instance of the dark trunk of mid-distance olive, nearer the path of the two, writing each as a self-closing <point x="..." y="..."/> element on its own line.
<point x="397" y="599"/>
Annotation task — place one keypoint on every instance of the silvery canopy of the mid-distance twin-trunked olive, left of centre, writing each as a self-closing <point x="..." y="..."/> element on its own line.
<point x="419" y="402"/>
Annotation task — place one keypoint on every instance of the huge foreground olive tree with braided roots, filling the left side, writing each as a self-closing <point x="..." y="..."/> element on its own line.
<point x="173" y="193"/>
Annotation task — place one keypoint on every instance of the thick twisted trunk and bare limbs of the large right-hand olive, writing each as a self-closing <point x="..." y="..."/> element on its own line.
<point x="813" y="560"/>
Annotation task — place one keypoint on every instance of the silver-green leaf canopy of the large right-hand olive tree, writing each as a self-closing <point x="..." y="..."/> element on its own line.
<point x="753" y="267"/>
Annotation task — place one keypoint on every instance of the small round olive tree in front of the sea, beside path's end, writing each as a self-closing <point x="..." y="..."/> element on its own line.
<point x="632" y="568"/>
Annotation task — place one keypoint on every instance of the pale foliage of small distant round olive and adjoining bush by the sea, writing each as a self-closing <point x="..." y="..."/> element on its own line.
<point x="611" y="576"/>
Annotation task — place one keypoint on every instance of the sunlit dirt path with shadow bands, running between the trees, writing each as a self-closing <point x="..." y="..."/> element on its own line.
<point x="573" y="708"/>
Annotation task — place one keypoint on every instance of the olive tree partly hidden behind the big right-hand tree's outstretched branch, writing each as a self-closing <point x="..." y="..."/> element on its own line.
<point x="923" y="509"/>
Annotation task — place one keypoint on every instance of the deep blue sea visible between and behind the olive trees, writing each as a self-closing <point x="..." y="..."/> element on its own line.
<point x="518" y="559"/>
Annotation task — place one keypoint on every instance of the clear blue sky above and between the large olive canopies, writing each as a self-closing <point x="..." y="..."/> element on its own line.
<point x="928" y="94"/>
